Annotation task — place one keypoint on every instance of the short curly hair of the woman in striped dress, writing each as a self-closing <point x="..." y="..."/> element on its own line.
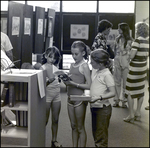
<point x="142" y="29"/>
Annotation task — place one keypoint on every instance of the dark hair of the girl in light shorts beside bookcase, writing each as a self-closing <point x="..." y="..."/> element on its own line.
<point x="52" y="51"/>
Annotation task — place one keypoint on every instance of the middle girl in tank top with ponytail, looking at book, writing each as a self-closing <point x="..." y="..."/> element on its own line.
<point x="81" y="80"/>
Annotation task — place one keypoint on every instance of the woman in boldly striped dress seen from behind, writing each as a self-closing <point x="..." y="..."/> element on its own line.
<point x="136" y="77"/>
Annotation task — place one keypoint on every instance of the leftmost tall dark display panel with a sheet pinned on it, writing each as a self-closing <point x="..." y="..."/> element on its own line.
<point x="15" y="27"/>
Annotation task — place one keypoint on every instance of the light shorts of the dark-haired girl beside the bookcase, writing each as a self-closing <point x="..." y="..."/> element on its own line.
<point x="53" y="94"/>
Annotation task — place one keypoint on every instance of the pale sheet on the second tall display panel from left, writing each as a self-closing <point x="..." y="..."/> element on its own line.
<point x="27" y="26"/>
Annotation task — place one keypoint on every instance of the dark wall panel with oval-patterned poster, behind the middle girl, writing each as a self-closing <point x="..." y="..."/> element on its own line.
<point x="77" y="27"/>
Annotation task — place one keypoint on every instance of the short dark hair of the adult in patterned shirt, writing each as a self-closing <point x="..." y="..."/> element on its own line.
<point x="103" y="25"/>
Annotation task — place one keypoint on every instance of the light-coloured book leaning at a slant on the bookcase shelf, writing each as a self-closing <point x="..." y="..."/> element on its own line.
<point x="10" y="116"/>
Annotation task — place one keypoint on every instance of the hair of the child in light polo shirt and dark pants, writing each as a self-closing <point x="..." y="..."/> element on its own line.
<point x="100" y="56"/>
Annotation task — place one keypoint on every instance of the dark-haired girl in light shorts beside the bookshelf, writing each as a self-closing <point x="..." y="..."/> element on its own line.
<point x="50" y="60"/>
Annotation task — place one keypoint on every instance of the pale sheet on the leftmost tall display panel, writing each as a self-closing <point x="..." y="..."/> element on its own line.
<point x="15" y="25"/>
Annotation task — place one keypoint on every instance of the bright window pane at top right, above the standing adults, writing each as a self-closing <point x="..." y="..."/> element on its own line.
<point x="116" y="6"/>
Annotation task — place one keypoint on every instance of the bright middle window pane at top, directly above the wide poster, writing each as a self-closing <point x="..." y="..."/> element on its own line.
<point x="79" y="6"/>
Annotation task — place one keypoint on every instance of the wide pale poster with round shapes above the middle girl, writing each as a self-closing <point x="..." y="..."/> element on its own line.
<point x="79" y="31"/>
